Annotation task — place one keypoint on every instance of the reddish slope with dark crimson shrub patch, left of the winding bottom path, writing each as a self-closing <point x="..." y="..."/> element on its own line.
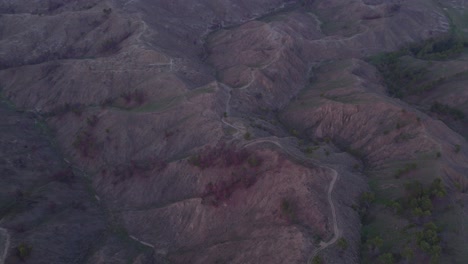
<point x="247" y="207"/>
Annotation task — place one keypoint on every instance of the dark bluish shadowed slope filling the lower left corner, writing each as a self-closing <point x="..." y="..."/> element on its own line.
<point x="48" y="212"/>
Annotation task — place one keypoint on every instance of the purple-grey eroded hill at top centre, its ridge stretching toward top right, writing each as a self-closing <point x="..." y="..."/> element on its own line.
<point x="267" y="62"/>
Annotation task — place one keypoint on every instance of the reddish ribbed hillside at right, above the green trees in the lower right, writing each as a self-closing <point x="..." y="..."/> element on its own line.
<point x="397" y="144"/>
